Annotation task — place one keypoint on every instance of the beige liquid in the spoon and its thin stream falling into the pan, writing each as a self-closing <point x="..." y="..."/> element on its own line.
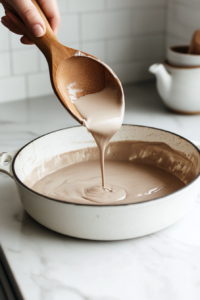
<point x="104" y="113"/>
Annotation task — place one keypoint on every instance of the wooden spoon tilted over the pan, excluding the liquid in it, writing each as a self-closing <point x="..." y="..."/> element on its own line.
<point x="73" y="73"/>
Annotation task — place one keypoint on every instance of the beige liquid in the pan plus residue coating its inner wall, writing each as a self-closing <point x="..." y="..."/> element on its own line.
<point x="135" y="172"/>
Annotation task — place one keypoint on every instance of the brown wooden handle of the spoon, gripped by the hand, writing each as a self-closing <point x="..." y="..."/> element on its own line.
<point x="46" y="43"/>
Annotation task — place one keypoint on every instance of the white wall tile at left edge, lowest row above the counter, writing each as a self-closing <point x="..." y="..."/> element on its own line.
<point x="12" y="88"/>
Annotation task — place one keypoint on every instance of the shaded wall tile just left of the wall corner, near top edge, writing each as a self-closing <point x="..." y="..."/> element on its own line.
<point x="145" y="21"/>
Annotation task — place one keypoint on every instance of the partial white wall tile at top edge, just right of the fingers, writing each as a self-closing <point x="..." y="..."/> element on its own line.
<point x="86" y="5"/>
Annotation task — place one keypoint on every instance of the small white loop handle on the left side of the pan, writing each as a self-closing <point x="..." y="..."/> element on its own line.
<point x="6" y="159"/>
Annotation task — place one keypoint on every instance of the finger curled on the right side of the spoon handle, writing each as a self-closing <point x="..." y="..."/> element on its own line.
<point x="50" y="9"/>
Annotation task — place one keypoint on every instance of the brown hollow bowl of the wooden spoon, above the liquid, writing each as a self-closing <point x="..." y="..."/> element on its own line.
<point x="80" y="75"/>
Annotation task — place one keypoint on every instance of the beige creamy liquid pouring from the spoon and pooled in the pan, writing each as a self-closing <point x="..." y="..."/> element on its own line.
<point x="126" y="182"/>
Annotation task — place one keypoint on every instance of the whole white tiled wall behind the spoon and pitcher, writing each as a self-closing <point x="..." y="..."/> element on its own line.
<point x="128" y="35"/>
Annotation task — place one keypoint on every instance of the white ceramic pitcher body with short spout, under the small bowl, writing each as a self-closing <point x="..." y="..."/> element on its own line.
<point x="179" y="87"/>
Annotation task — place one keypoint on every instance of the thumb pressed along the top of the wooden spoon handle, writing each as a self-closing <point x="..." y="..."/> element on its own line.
<point x="30" y="15"/>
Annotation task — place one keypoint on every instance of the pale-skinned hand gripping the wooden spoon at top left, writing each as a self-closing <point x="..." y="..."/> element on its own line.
<point x="31" y="17"/>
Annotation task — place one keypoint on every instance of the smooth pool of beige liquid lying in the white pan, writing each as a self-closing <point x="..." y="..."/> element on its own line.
<point x="127" y="183"/>
